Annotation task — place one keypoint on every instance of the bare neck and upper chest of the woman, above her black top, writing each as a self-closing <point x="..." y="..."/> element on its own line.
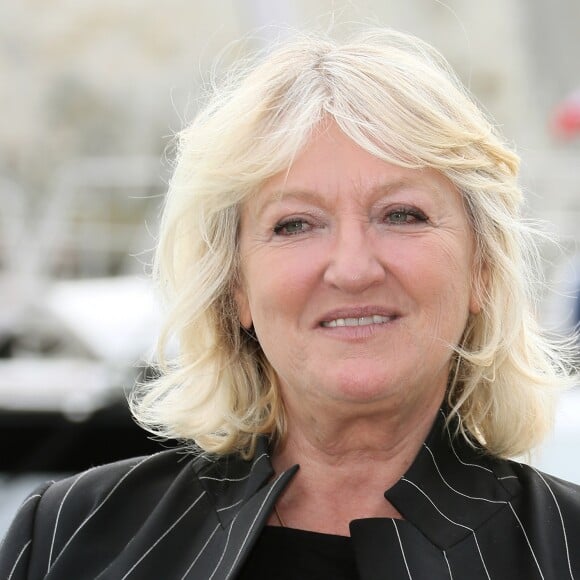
<point x="347" y="462"/>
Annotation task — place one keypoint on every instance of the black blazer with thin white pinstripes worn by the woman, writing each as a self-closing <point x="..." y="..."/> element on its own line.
<point x="173" y="516"/>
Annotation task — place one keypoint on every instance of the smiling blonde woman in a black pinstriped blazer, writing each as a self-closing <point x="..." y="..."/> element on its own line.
<point x="348" y="277"/>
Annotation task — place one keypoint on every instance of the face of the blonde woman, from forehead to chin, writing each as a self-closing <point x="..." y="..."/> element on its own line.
<point x="357" y="276"/>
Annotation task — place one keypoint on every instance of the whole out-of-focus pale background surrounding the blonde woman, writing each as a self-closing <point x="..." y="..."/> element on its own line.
<point x="91" y="94"/>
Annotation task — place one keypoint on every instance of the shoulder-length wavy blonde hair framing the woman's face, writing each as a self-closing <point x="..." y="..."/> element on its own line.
<point x="396" y="97"/>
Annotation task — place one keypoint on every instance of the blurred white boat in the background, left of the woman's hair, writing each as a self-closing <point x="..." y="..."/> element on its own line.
<point x="81" y="347"/>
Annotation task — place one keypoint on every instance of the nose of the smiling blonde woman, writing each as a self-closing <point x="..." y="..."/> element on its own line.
<point x="354" y="262"/>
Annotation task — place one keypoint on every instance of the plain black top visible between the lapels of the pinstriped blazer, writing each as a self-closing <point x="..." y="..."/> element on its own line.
<point x="290" y="554"/>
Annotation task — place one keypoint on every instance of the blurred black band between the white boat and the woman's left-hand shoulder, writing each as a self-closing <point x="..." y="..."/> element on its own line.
<point x="50" y="442"/>
